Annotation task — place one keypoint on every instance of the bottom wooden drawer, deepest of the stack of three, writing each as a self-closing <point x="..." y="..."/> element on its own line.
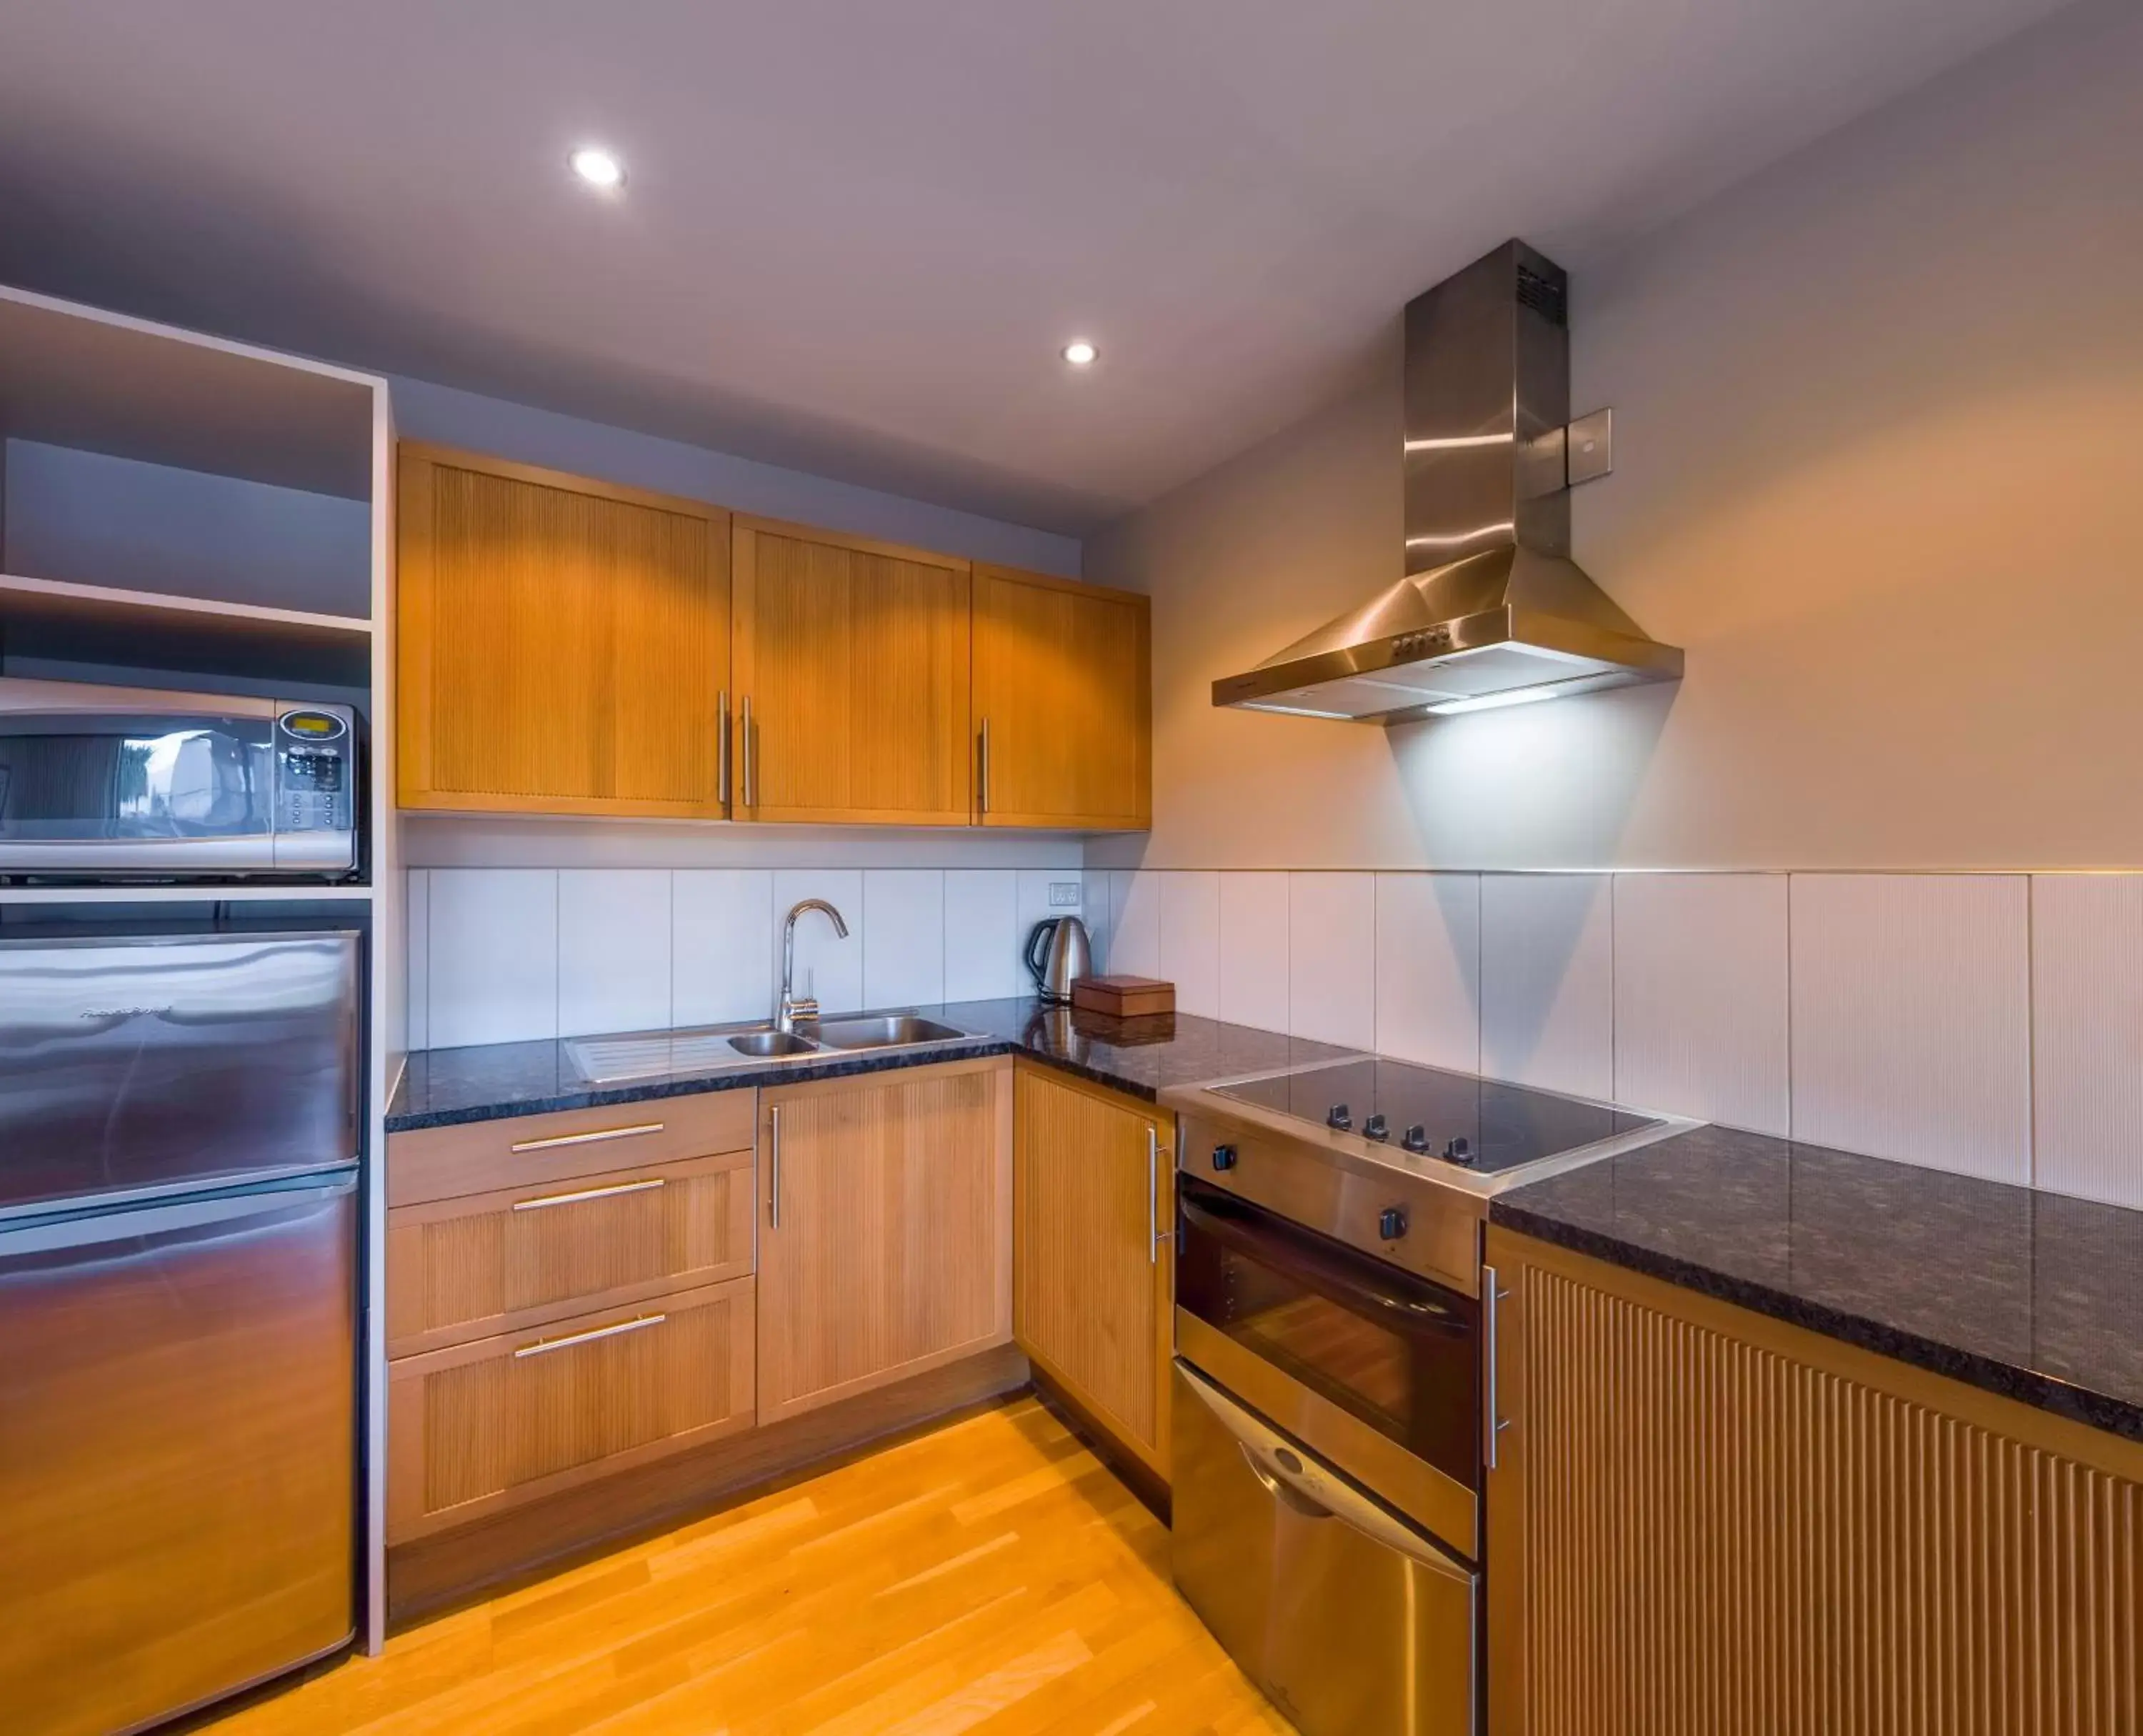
<point x="515" y="1418"/>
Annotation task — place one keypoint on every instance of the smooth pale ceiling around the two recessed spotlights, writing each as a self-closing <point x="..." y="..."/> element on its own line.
<point x="856" y="233"/>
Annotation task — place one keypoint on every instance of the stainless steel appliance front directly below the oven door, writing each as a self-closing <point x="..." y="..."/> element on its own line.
<point x="1349" y="1619"/>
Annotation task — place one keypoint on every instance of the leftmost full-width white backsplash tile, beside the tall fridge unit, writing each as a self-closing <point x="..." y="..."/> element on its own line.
<point x="494" y="957"/>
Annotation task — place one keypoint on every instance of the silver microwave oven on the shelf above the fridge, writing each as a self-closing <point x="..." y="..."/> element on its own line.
<point x="138" y="785"/>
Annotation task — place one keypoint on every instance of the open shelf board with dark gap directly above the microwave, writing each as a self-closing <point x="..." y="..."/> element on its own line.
<point x="50" y="618"/>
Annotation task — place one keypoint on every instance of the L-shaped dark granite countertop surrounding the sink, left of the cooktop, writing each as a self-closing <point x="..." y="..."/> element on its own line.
<point x="1135" y="1056"/>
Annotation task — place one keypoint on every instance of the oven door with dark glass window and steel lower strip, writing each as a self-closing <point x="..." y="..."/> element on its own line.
<point x="1368" y="1364"/>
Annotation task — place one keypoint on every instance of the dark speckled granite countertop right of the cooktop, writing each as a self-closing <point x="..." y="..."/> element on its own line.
<point x="2030" y="1296"/>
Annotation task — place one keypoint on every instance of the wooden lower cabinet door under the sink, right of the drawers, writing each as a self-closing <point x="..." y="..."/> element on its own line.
<point x="886" y="1231"/>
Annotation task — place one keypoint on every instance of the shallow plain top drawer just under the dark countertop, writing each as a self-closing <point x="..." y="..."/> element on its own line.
<point x="488" y="1156"/>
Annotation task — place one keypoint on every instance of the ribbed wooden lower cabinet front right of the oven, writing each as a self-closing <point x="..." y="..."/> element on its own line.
<point x="1707" y="1521"/>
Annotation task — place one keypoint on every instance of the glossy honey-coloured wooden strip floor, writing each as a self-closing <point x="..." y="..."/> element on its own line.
<point x="987" y="1578"/>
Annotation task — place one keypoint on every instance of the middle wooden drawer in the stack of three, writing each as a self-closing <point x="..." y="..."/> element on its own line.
<point x="479" y="1266"/>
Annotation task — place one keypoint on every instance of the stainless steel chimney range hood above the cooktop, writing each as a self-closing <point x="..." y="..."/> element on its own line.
<point x="1493" y="608"/>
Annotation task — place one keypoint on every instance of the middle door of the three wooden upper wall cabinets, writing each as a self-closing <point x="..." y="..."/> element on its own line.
<point x="854" y="659"/>
